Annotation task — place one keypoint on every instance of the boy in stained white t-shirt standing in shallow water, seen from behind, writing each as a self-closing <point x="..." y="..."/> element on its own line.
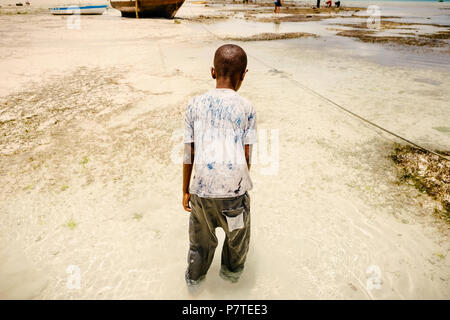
<point x="220" y="129"/>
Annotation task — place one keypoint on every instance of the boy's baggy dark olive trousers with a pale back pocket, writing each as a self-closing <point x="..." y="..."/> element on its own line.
<point x="233" y="216"/>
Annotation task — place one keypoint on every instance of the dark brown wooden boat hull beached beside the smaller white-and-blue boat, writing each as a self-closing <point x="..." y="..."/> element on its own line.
<point x="147" y="8"/>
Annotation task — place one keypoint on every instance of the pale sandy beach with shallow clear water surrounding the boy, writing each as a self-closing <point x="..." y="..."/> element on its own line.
<point x="90" y="140"/>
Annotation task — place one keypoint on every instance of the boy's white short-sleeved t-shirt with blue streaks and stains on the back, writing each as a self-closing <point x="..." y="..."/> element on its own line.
<point x="220" y="122"/>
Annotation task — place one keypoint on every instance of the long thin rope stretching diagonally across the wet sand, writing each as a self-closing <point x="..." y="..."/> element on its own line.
<point x="313" y="92"/>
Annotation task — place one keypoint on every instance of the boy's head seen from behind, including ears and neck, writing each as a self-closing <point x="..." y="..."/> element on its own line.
<point x="230" y="63"/>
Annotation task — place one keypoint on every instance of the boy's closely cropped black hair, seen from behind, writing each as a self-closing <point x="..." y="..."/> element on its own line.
<point x="229" y="60"/>
